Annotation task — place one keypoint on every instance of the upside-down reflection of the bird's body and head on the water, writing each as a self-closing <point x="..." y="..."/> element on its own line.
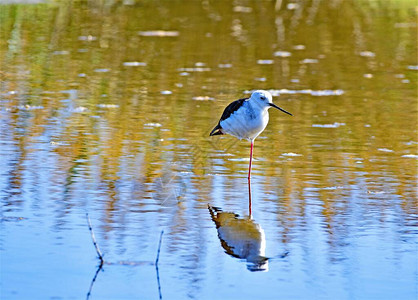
<point x="241" y="238"/>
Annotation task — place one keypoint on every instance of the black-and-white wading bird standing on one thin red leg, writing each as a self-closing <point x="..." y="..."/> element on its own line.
<point x="246" y="118"/>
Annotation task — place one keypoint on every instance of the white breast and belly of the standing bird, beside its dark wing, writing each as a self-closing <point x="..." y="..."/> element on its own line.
<point x="248" y="121"/>
